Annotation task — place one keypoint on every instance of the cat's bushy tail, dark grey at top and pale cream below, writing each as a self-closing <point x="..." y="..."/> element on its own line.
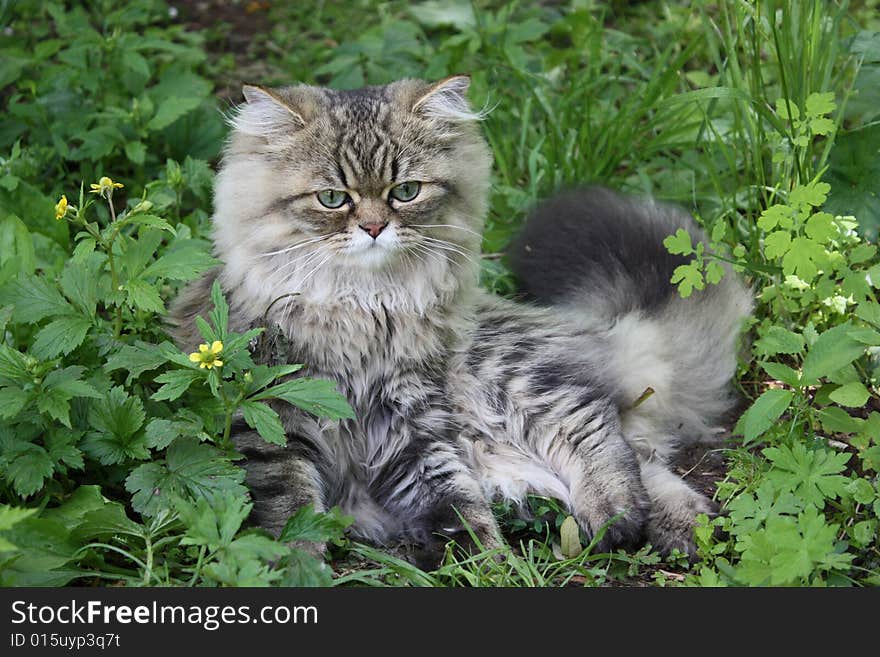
<point x="599" y="256"/>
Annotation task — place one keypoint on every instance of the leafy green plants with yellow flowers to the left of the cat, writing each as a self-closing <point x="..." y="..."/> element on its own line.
<point x="94" y="401"/>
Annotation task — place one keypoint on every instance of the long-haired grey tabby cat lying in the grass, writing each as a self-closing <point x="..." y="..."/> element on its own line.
<point x="351" y="221"/>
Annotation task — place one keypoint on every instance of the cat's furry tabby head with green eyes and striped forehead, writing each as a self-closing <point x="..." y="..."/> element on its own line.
<point x="371" y="196"/>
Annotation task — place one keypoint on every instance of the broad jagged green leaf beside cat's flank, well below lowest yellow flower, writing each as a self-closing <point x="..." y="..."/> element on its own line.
<point x="191" y="470"/>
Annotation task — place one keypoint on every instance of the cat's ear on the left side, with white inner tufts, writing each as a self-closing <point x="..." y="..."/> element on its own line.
<point x="271" y="112"/>
